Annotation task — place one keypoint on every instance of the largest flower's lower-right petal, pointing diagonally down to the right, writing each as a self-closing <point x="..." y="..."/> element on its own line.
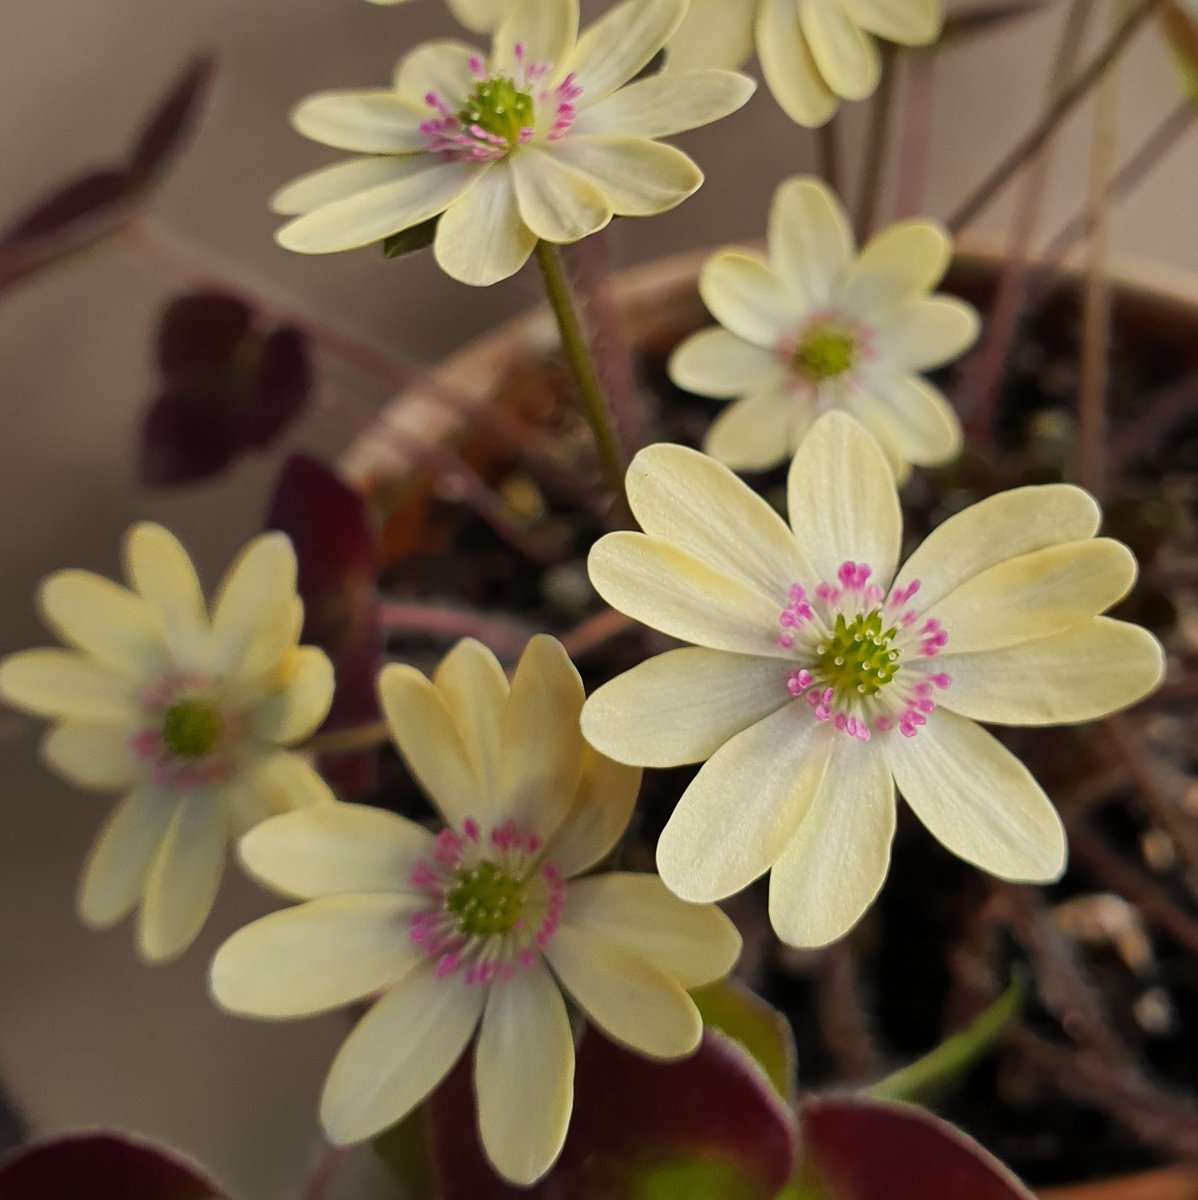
<point x="979" y="800"/>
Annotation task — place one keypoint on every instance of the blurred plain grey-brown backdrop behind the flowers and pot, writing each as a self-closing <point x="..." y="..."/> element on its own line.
<point x="87" y="1035"/>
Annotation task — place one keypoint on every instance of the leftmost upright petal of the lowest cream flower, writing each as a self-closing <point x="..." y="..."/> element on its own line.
<point x="427" y="736"/>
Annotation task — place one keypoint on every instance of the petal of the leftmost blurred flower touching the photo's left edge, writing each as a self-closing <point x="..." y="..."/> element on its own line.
<point x="65" y="686"/>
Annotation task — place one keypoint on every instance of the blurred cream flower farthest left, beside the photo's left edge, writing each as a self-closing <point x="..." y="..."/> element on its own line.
<point x="187" y="715"/>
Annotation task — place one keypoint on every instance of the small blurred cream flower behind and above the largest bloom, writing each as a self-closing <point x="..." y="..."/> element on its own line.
<point x="817" y="327"/>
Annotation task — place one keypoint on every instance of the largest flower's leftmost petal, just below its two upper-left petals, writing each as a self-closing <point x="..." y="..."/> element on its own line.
<point x="682" y="706"/>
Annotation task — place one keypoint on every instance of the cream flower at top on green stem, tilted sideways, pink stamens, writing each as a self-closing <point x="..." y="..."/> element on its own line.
<point x="541" y="140"/>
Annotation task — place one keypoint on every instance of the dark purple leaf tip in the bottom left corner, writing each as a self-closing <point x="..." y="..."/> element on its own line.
<point x="101" y="1167"/>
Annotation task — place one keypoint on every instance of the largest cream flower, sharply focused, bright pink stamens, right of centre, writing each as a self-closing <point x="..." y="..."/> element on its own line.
<point x="824" y="676"/>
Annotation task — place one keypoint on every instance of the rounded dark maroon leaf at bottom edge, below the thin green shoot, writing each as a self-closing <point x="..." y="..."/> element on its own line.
<point x="868" y="1150"/>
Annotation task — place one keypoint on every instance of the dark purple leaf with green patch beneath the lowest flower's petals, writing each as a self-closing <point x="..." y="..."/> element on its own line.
<point x="632" y="1119"/>
